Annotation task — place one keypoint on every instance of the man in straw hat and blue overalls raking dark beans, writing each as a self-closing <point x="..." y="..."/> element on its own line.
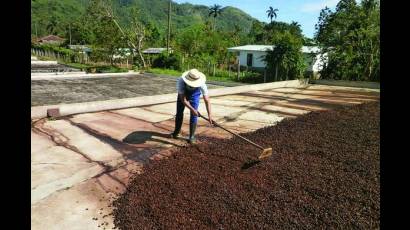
<point x="190" y="86"/>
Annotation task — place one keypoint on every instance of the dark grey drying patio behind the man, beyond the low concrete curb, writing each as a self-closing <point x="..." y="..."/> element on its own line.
<point x="85" y="89"/>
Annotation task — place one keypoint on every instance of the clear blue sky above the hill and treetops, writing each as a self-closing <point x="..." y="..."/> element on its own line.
<point x="305" y="12"/>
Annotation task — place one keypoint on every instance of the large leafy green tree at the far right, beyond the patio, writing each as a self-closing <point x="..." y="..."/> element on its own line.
<point x="350" y="37"/>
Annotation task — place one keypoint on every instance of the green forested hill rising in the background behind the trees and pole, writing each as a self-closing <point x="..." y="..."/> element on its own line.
<point x="54" y="16"/>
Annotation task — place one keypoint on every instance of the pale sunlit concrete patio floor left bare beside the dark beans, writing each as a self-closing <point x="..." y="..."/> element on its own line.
<point x="79" y="162"/>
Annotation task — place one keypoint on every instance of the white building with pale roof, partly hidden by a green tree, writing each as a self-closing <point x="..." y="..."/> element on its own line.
<point x="253" y="55"/>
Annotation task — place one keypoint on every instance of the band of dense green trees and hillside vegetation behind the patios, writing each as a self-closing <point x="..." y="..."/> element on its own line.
<point x="200" y="36"/>
